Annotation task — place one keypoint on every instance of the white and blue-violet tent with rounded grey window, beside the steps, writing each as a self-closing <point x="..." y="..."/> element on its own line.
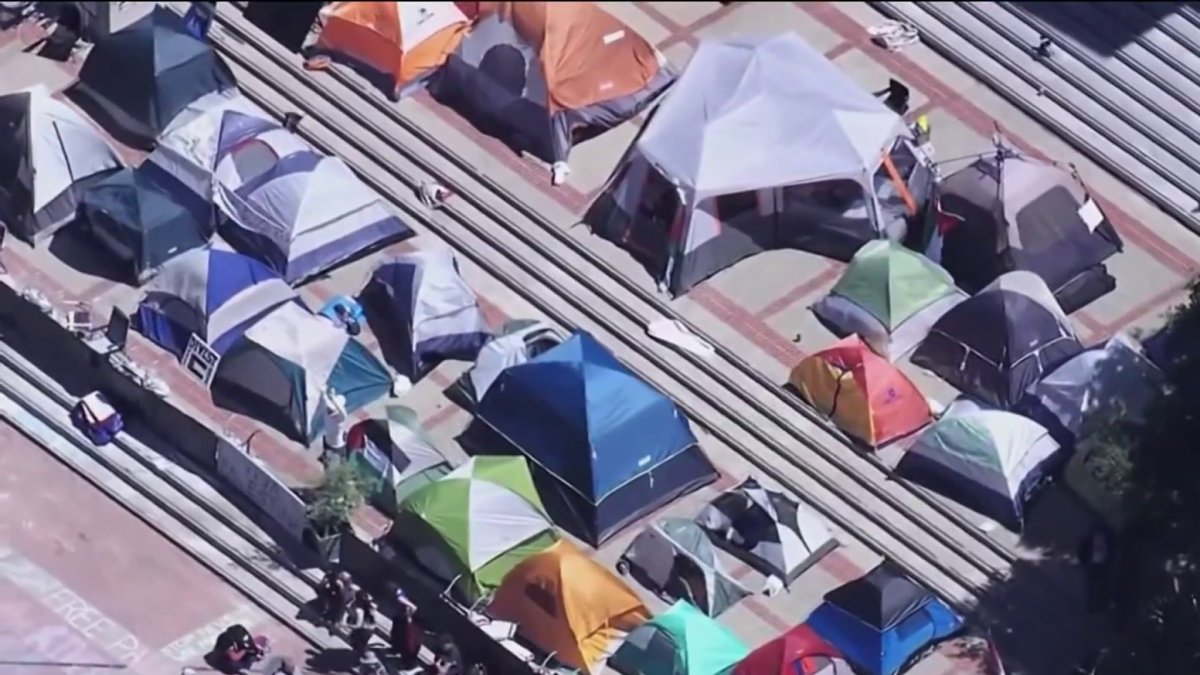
<point x="299" y="212"/>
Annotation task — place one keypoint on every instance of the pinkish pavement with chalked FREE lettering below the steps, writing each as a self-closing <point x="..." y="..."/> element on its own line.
<point x="83" y="582"/>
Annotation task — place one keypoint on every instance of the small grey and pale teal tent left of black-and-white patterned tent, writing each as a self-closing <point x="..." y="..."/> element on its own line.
<point x="676" y="559"/>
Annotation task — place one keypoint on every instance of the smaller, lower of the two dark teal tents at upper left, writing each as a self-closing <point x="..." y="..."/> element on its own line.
<point x="143" y="223"/>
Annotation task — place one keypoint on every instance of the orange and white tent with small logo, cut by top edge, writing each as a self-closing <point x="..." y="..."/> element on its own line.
<point x="405" y="41"/>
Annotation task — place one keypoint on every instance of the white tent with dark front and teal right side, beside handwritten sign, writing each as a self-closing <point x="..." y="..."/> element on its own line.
<point x="280" y="369"/>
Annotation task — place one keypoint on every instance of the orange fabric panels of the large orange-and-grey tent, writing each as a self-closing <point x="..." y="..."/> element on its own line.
<point x="587" y="56"/>
